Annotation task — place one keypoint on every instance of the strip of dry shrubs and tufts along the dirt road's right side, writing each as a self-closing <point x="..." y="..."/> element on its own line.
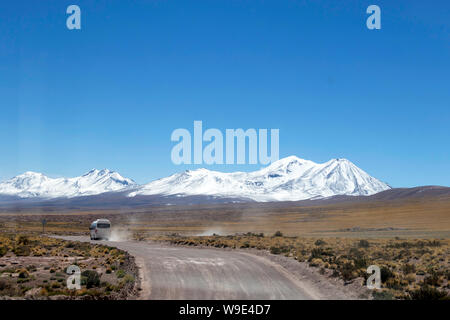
<point x="410" y="269"/>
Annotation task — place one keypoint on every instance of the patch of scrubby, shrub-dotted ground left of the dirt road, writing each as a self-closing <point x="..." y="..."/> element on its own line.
<point x="40" y="269"/>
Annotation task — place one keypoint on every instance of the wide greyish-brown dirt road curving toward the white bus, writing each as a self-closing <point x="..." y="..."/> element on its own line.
<point x="170" y="272"/>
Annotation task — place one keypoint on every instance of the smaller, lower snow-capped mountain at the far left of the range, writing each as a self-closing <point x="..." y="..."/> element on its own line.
<point x="37" y="185"/>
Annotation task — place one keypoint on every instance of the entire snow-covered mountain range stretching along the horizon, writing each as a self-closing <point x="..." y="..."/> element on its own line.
<point x="288" y="179"/>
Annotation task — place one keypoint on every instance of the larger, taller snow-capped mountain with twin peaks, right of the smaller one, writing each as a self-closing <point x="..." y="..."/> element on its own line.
<point x="288" y="179"/>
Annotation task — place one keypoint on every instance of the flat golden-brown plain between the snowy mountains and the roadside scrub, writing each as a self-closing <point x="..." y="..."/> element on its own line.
<point x="411" y="217"/>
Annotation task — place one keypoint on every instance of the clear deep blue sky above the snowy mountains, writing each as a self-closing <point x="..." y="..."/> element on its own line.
<point x="109" y="95"/>
